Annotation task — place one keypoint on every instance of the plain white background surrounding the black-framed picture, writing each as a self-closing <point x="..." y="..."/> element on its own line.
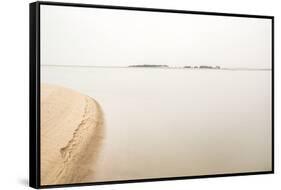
<point x="14" y="93"/>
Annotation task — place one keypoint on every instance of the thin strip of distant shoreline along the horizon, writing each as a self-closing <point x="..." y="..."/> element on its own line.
<point x="155" y="67"/>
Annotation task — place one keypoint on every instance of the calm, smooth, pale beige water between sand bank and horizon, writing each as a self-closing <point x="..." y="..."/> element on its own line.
<point x="175" y="122"/>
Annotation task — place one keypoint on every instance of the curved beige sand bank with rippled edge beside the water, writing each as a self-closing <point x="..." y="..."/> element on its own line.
<point x="71" y="133"/>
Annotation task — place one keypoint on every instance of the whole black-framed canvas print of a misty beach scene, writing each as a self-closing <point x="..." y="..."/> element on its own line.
<point x="129" y="94"/>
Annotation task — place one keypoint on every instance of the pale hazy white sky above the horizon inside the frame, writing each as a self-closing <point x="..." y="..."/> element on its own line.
<point x="102" y="37"/>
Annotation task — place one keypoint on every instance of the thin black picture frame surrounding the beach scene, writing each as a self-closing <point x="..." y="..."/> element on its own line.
<point x="34" y="91"/>
